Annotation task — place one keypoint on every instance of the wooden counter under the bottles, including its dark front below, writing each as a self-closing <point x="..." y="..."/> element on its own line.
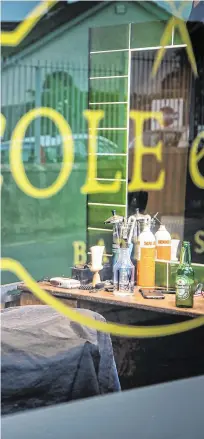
<point x="140" y="361"/>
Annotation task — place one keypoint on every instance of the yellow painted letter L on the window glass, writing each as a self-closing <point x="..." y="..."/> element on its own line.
<point x="92" y="186"/>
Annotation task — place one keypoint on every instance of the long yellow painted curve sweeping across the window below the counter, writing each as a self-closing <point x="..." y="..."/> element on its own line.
<point x="112" y="328"/>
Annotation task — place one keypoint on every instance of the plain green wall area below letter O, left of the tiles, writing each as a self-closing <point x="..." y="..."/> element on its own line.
<point x="40" y="233"/>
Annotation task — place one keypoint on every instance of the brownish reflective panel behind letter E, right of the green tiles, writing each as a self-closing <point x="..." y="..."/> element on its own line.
<point x="168" y="92"/>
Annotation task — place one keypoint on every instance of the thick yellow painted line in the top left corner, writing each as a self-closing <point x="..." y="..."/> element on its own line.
<point x="15" y="37"/>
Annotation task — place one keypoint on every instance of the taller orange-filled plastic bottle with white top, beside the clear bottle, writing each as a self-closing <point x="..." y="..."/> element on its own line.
<point x="146" y="258"/>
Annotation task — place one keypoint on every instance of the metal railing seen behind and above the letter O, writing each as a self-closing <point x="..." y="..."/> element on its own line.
<point x="61" y="86"/>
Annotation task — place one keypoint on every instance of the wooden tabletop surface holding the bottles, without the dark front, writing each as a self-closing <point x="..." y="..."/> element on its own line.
<point x="166" y="305"/>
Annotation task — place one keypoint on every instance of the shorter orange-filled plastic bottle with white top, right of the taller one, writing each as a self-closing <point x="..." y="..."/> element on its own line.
<point x="163" y="244"/>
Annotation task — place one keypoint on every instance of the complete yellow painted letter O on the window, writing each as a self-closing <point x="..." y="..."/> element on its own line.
<point x="15" y="153"/>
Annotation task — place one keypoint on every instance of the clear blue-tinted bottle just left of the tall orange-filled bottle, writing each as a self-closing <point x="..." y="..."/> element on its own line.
<point x="123" y="272"/>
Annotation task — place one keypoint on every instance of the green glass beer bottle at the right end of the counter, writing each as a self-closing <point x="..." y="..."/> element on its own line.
<point x="185" y="278"/>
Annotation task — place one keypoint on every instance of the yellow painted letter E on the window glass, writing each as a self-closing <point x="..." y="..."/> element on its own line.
<point x="137" y="183"/>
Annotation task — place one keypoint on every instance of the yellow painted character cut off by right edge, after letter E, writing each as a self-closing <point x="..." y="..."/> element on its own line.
<point x="194" y="158"/>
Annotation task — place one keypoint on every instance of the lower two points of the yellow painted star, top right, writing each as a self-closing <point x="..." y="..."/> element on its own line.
<point x="181" y="25"/>
